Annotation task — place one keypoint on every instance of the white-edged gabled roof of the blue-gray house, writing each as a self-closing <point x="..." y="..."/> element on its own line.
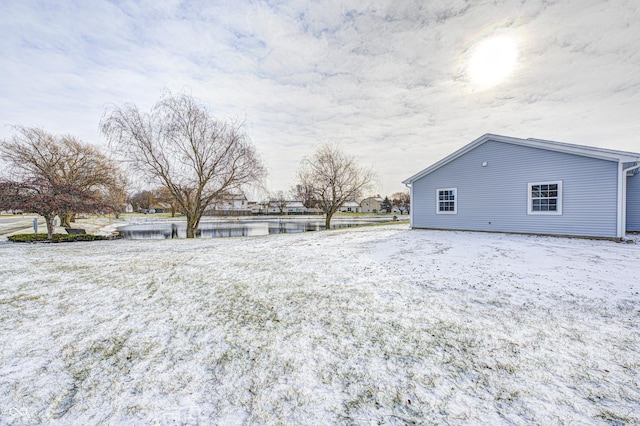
<point x="586" y="151"/>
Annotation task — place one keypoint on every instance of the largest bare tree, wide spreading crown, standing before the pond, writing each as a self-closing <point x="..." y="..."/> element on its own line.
<point x="181" y="147"/>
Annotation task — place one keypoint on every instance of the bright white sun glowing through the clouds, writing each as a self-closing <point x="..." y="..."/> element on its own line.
<point x="491" y="61"/>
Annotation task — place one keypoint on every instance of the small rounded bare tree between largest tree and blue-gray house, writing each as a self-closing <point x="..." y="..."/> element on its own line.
<point x="334" y="178"/>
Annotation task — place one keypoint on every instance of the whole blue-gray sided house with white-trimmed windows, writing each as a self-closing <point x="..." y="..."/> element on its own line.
<point x="505" y="184"/>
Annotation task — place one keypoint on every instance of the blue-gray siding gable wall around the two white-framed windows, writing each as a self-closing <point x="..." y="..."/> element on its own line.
<point x="494" y="198"/>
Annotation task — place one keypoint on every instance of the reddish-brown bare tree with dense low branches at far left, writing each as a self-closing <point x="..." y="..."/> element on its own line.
<point x="56" y="175"/>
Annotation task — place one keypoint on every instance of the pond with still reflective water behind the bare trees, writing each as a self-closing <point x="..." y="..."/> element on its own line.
<point x="239" y="227"/>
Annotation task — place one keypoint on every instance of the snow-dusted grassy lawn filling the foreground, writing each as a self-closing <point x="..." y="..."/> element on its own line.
<point x="378" y="325"/>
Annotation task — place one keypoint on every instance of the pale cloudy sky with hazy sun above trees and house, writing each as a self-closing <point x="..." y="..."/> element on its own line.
<point x="399" y="83"/>
